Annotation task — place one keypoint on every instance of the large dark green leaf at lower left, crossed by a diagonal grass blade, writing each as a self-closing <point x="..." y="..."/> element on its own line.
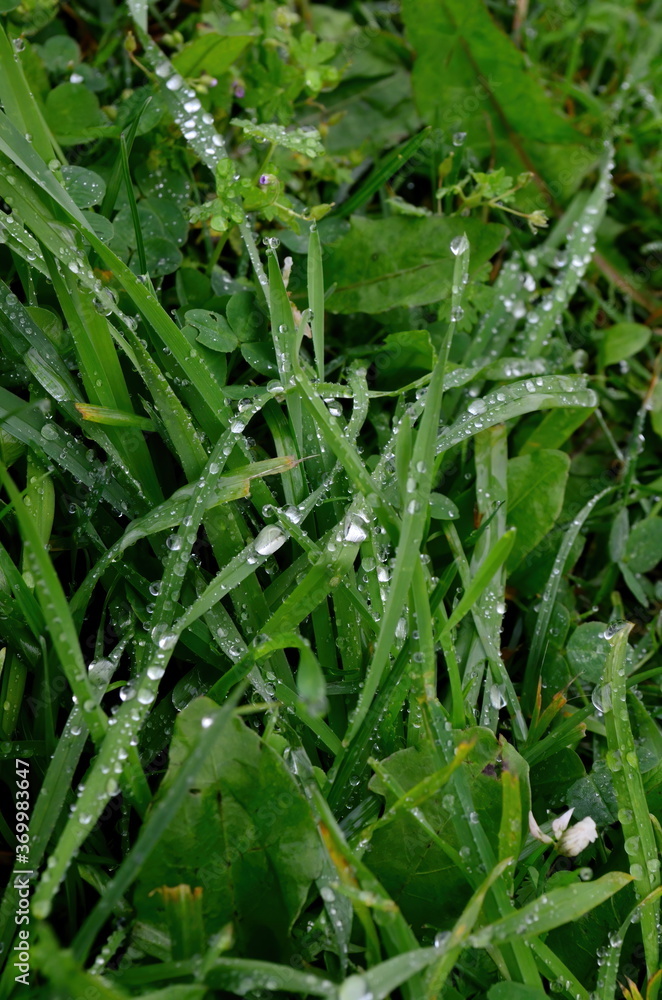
<point x="244" y="833"/>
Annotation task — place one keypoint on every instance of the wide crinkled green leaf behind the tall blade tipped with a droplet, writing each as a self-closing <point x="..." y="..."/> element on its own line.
<point x="384" y="263"/>
